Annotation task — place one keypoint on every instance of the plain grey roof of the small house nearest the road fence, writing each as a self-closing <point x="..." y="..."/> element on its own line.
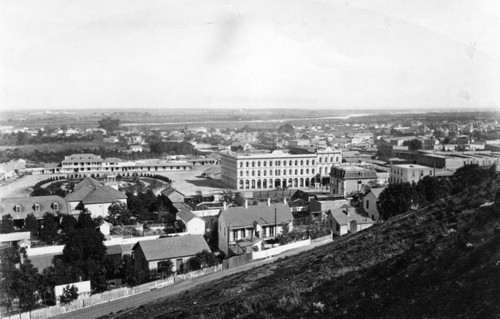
<point x="172" y="247"/>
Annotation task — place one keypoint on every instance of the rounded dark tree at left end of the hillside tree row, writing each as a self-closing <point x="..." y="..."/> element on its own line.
<point x="394" y="200"/>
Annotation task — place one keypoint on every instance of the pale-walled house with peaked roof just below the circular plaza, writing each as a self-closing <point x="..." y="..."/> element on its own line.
<point x="90" y="194"/>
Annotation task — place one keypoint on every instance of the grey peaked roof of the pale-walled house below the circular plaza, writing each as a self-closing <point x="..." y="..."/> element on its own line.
<point x="95" y="194"/>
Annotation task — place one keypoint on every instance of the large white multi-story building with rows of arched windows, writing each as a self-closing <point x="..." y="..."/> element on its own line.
<point x="277" y="169"/>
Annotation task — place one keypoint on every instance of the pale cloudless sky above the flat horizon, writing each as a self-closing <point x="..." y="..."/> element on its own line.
<point x="395" y="54"/>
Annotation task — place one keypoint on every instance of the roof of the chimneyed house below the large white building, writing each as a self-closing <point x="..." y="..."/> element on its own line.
<point x="263" y="214"/>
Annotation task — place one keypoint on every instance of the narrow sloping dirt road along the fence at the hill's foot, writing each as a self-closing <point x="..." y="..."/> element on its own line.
<point x="154" y="295"/>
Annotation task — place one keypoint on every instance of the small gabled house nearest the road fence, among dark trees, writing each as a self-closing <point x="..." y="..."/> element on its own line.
<point x="153" y="254"/>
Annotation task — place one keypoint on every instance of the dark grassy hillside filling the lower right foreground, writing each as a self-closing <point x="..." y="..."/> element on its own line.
<point x="441" y="261"/>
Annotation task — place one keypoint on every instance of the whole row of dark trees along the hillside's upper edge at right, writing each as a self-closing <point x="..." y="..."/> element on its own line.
<point x="399" y="198"/>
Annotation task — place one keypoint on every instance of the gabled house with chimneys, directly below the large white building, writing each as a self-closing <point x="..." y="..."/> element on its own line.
<point x="246" y="223"/>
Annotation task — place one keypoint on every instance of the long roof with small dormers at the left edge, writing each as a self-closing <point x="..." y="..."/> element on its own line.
<point x="27" y="205"/>
